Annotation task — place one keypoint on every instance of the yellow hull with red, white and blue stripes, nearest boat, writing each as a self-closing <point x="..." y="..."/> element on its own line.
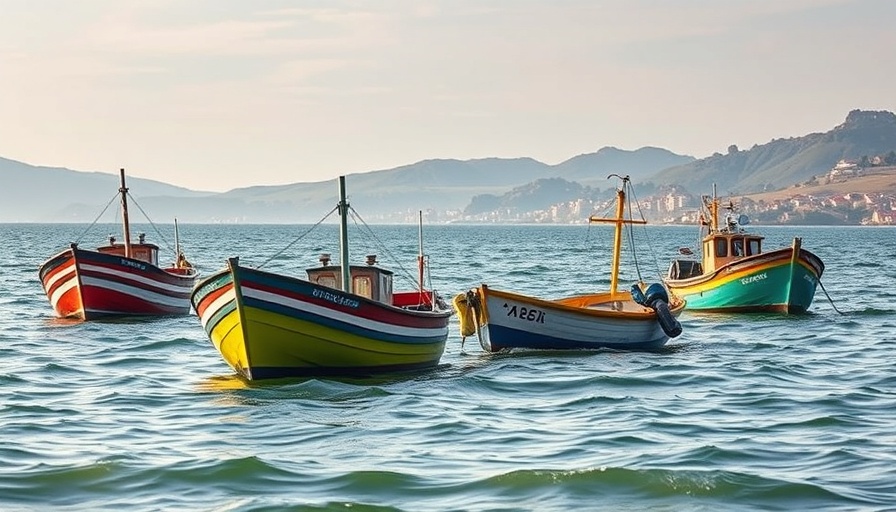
<point x="266" y="325"/>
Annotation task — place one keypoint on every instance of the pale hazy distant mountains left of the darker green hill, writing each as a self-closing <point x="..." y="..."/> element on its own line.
<point x="44" y="194"/>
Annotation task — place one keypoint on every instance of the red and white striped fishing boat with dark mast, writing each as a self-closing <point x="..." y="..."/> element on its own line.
<point x="118" y="279"/>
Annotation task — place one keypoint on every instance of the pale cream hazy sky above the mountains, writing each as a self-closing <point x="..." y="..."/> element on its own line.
<point x="221" y="94"/>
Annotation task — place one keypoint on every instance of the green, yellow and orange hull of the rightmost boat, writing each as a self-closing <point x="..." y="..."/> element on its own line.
<point x="775" y="281"/>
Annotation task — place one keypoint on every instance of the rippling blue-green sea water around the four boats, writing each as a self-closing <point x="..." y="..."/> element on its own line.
<point x="752" y="412"/>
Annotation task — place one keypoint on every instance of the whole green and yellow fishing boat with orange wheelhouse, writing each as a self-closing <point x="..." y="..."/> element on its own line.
<point x="733" y="273"/>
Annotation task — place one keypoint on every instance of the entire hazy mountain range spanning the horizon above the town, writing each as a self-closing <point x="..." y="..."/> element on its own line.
<point x="446" y="187"/>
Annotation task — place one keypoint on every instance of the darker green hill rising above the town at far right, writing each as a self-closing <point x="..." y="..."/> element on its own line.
<point x="784" y="162"/>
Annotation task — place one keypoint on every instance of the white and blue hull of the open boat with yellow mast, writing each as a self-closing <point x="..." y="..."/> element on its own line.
<point x="515" y="321"/>
